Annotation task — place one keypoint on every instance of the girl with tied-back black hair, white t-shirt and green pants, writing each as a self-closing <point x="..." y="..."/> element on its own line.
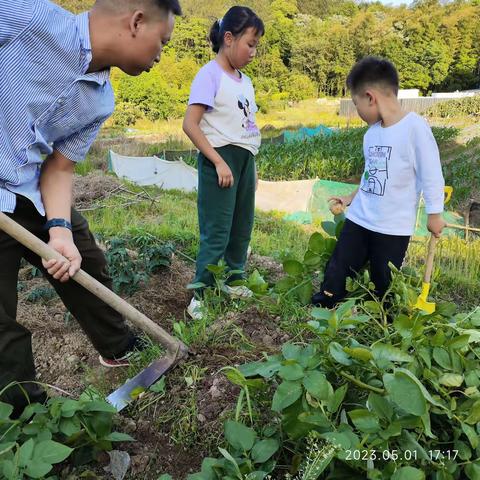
<point x="220" y="121"/>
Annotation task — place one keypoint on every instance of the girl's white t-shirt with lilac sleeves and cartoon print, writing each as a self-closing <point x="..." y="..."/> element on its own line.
<point x="230" y="116"/>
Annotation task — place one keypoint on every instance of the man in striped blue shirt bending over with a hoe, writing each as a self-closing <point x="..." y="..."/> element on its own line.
<point x="55" y="94"/>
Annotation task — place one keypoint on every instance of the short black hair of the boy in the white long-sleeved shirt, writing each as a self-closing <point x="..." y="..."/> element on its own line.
<point x="371" y="71"/>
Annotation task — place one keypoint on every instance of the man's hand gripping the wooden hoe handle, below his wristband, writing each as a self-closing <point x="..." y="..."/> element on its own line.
<point x="61" y="240"/>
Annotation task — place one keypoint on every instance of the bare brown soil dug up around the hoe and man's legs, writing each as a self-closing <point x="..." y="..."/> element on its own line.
<point x="66" y="360"/>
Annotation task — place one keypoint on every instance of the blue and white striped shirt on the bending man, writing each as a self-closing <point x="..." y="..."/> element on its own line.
<point x="47" y="100"/>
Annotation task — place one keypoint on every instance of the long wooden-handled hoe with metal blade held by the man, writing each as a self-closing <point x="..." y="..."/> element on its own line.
<point x="176" y="350"/>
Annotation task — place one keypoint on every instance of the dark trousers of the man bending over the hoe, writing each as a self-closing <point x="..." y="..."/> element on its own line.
<point x="105" y="327"/>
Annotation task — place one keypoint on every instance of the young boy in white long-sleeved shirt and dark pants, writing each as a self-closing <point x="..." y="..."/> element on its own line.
<point x="401" y="162"/>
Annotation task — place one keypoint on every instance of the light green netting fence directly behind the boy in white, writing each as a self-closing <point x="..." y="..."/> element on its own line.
<point x="324" y="189"/>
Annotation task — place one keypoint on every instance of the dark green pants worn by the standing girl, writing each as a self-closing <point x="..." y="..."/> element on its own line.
<point x="225" y="215"/>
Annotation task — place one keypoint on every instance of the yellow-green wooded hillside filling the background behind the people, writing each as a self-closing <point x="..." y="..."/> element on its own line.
<point x="309" y="48"/>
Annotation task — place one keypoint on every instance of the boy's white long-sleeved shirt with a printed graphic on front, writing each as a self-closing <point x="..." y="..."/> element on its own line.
<point x="401" y="162"/>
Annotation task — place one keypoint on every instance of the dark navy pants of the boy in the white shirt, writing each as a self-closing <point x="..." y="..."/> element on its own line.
<point x="355" y="247"/>
